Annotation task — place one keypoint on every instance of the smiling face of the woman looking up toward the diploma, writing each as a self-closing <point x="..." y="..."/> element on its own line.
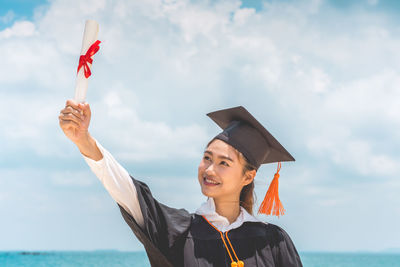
<point x="220" y="172"/>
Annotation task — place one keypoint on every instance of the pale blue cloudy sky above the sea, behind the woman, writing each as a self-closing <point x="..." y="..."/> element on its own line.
<point x="322" y="76"/>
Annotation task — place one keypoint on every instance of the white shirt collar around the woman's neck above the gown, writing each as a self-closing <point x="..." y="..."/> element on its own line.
<point x="207" y="209"/>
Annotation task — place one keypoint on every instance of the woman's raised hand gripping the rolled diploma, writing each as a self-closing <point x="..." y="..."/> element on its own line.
<point x="74" y="120"/>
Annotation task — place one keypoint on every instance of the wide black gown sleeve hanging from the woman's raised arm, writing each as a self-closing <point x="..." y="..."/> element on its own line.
<point x="164" y="228"/>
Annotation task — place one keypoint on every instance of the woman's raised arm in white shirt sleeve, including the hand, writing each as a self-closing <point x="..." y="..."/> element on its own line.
<point x="74" y="120"/>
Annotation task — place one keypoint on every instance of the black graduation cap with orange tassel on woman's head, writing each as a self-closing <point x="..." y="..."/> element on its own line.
<point x="243" y="132"/>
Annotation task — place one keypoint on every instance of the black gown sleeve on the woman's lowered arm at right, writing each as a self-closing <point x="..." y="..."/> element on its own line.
<point x="284" y="251"/>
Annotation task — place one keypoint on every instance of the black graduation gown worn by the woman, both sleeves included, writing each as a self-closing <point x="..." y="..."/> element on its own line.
<point x="175" y="237"/>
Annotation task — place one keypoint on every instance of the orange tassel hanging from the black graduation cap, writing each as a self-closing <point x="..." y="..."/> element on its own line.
<point x="272" y="203"/>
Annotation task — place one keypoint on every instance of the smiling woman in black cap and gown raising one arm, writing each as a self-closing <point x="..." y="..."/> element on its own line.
<point x="222" y="232"/>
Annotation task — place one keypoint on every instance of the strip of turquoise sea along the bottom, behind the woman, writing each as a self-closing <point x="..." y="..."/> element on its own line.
<point x="139" y="259"/>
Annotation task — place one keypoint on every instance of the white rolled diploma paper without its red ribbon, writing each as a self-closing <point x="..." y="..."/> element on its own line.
<point x="89" y="37"/>
